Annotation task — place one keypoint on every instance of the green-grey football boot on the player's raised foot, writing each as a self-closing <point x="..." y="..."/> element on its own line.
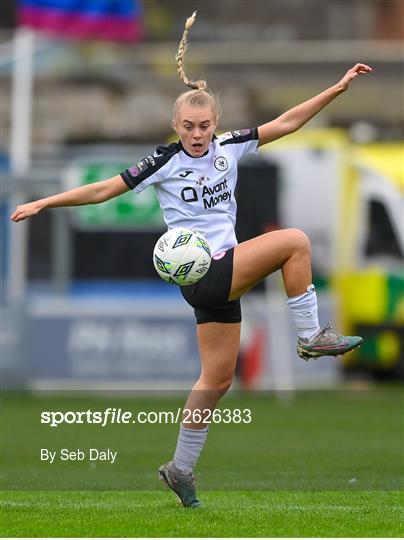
<point x="326" y="343"/>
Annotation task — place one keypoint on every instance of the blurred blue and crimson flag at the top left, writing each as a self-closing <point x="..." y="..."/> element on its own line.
<point x="109" y="20"/>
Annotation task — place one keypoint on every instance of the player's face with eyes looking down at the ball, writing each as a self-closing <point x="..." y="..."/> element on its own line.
<point x="195" y="127"/>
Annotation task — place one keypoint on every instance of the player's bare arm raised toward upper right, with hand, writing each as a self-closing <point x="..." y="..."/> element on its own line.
<point x="295" y="118"/>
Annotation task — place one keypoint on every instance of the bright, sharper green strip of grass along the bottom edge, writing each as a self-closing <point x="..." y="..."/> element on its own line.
<point x="225" y="513"/>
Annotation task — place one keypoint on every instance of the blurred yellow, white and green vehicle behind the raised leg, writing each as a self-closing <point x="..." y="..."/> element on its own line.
<point x="349" y="198"/>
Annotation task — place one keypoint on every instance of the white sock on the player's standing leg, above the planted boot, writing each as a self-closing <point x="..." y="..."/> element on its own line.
<point x="189" y="446"/>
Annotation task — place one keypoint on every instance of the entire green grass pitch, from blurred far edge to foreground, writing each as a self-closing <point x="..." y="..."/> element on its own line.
<point x="326" y="464"/>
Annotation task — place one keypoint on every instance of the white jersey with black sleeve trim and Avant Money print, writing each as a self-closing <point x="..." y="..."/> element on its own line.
<point x="197" y="192"/>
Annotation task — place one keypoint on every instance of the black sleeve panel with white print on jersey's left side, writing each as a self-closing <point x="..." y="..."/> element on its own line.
<point x="149" y="165"/>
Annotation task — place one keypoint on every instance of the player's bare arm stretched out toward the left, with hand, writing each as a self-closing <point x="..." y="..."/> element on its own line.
<point x="90" y="194"/>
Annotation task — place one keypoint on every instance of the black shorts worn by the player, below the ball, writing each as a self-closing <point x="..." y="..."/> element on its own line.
<point x="209" y="296"/>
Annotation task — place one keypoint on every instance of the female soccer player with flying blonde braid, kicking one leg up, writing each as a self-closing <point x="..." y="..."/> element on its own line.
<point x="185" y="175"/>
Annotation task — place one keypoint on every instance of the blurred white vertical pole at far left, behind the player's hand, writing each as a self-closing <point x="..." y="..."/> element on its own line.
<point x="20" y="155"/>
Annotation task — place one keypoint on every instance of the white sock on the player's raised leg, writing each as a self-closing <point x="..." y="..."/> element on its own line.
<point x="304" y="310"/>
